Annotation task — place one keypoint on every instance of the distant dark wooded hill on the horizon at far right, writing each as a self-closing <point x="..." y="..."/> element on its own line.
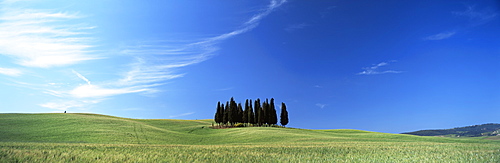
<point x="490" y="129"/>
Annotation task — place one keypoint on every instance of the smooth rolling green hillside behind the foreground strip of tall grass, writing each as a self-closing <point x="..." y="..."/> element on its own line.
<point x="94" y="128"/>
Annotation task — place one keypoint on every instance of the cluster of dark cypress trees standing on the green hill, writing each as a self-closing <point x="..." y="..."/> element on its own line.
<point x="258" y="114"/>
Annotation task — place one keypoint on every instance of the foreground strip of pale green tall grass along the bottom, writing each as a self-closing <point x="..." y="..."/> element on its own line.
<point x="286" y="152"/>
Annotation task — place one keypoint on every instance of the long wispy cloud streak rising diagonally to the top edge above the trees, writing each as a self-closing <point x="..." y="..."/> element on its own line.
<point x="157" y="62"/>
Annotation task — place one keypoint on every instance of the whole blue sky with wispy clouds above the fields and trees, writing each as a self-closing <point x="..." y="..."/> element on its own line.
<point x="390" y="66"/>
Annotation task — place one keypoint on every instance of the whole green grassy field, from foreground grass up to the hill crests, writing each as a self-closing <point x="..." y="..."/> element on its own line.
<point x="99" y="138"/>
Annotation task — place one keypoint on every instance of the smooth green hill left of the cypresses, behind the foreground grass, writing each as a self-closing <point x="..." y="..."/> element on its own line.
<point x="93" y="128"/>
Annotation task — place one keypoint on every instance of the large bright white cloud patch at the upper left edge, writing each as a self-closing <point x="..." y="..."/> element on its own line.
<point x="42" y="39"/>
